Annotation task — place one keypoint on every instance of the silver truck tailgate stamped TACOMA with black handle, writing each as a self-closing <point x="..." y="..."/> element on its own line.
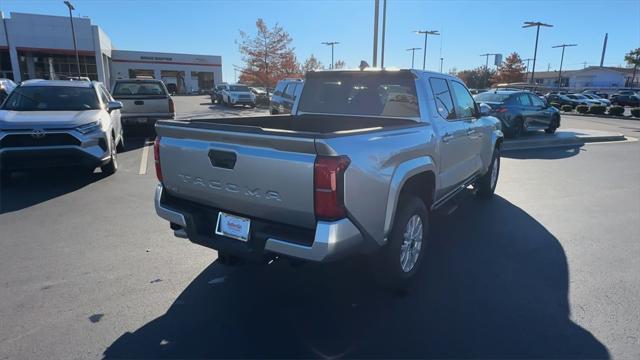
<point x="253" y="175"/>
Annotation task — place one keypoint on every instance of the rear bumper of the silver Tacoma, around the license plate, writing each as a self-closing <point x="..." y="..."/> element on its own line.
<point x="328" y="241"/>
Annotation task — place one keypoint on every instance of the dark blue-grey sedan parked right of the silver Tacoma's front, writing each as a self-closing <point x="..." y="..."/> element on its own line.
<point x="520" y="111"/>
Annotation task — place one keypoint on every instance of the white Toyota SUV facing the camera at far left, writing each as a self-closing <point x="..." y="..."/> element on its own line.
<point x="54" y="123"/>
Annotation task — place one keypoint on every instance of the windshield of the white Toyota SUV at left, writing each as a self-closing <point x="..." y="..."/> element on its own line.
<point x="52" y="98"/>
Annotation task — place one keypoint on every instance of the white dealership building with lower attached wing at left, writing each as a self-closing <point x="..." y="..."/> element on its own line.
<point x="41" y="47"/>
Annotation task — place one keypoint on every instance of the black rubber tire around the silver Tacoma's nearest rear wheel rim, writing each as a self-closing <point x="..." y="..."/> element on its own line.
<point x="387" y="265"/>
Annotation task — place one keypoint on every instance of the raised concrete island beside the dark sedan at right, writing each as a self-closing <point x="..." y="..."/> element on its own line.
<point x="562" y="137"/>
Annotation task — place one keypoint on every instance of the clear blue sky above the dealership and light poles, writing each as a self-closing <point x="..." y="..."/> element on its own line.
<point x="468" y="28"/>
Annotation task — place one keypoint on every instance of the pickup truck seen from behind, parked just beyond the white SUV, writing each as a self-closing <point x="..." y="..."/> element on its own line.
<point x="144" y="101"/>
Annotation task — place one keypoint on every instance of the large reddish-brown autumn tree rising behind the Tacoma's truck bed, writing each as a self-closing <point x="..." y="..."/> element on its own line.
<point x="268" y="56"/>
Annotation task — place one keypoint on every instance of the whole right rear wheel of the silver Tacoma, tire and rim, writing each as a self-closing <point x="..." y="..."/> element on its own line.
<point x="398" y="262"/>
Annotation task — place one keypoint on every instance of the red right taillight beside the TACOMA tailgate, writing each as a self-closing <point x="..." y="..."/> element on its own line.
<point x="328" y="179"/>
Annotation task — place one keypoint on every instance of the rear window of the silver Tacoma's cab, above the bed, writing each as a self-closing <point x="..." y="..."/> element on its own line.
<point x="361" y="93"/>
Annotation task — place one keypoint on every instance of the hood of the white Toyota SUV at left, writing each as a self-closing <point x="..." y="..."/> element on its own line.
<point x="46" y="119"/>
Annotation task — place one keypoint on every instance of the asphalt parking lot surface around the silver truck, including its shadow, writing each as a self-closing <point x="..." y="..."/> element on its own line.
<point x="547" y="269"/>
